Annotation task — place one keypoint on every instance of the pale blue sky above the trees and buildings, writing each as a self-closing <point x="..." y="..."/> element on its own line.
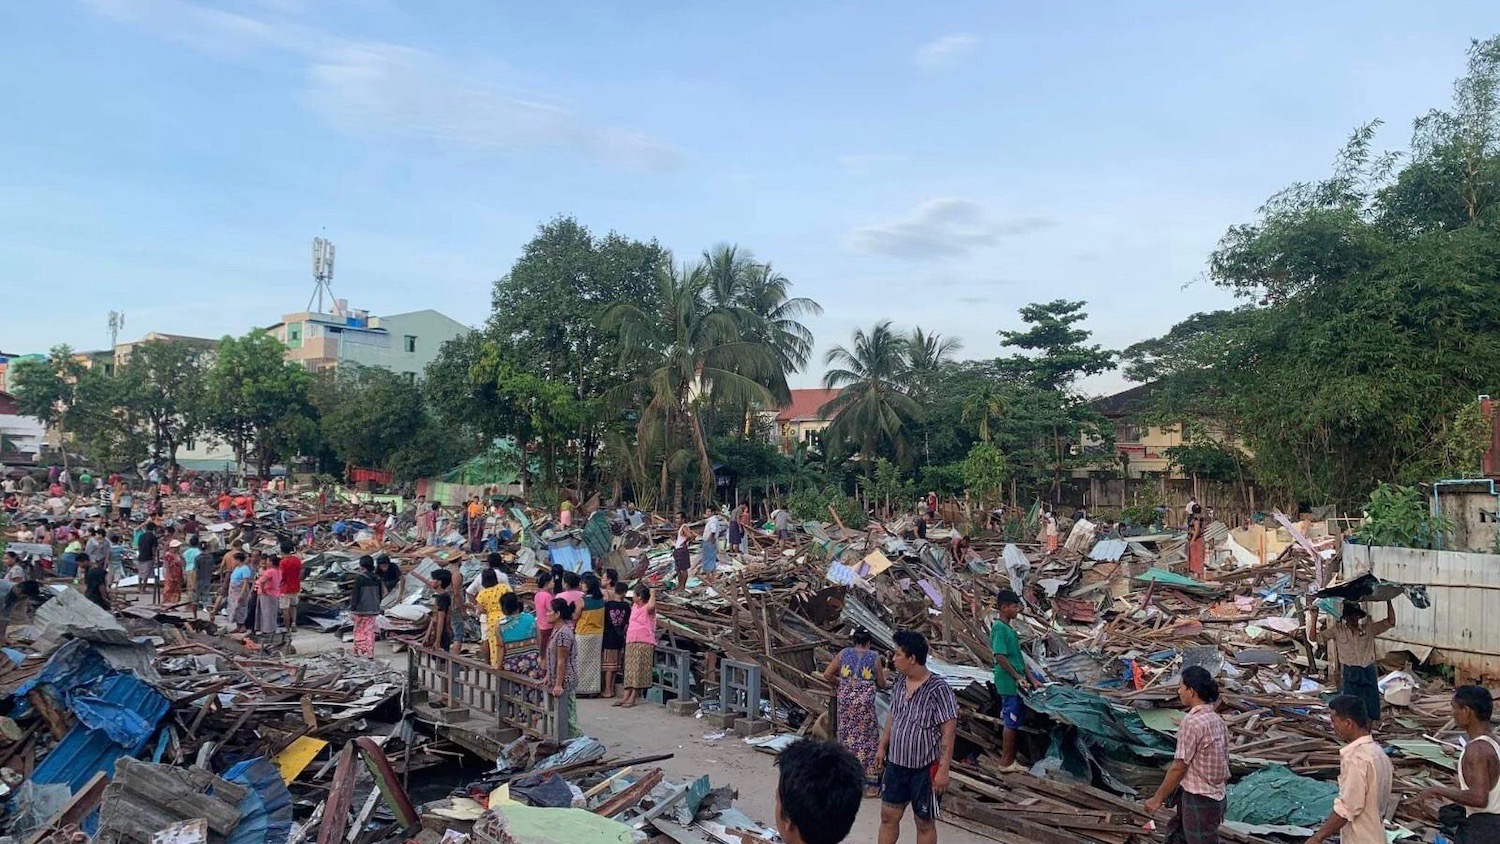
<point x="935" y="164"/>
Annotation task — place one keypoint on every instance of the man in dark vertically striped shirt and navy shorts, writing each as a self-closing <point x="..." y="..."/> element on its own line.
<point x="917" y="744"/>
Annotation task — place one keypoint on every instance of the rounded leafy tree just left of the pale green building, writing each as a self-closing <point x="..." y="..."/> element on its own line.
<point x="259" y="403"/>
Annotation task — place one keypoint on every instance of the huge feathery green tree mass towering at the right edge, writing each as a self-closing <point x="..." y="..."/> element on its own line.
<point x="1370" y="319"/>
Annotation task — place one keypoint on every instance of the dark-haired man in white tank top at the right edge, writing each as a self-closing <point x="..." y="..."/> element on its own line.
<point x="1474" y="818"/>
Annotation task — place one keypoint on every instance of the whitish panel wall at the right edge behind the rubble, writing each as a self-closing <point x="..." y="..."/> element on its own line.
<point x="1465" y="590"/>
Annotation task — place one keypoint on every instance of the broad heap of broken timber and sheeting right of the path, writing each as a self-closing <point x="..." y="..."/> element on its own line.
<point x="1109" y="624"/>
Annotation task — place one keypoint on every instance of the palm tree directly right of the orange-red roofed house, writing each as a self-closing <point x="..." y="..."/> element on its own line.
<point x="872" y="409"/>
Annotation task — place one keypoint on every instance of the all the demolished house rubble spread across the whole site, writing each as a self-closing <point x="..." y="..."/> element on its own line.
<point x="146" y="725"/>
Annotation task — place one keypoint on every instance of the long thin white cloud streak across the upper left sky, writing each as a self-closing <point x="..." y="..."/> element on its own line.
<point x="391" y="89"/>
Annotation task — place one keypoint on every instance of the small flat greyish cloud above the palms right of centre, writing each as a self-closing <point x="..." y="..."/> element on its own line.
<point x="943" y="229"/>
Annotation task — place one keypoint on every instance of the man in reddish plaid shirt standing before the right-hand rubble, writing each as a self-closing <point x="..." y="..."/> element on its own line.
<point x="1201" y="768"/>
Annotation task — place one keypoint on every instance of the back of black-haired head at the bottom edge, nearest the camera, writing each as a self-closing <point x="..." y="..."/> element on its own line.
<point x="818" y="794"/>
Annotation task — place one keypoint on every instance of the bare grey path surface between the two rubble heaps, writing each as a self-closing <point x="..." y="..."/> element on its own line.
<point x="649" y="729"/>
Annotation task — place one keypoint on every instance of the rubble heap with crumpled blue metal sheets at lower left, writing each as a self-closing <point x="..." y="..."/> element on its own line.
<point x="122" y="729"/>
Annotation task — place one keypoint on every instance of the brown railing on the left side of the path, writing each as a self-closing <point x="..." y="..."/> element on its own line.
<point x="514" y="701"/>
